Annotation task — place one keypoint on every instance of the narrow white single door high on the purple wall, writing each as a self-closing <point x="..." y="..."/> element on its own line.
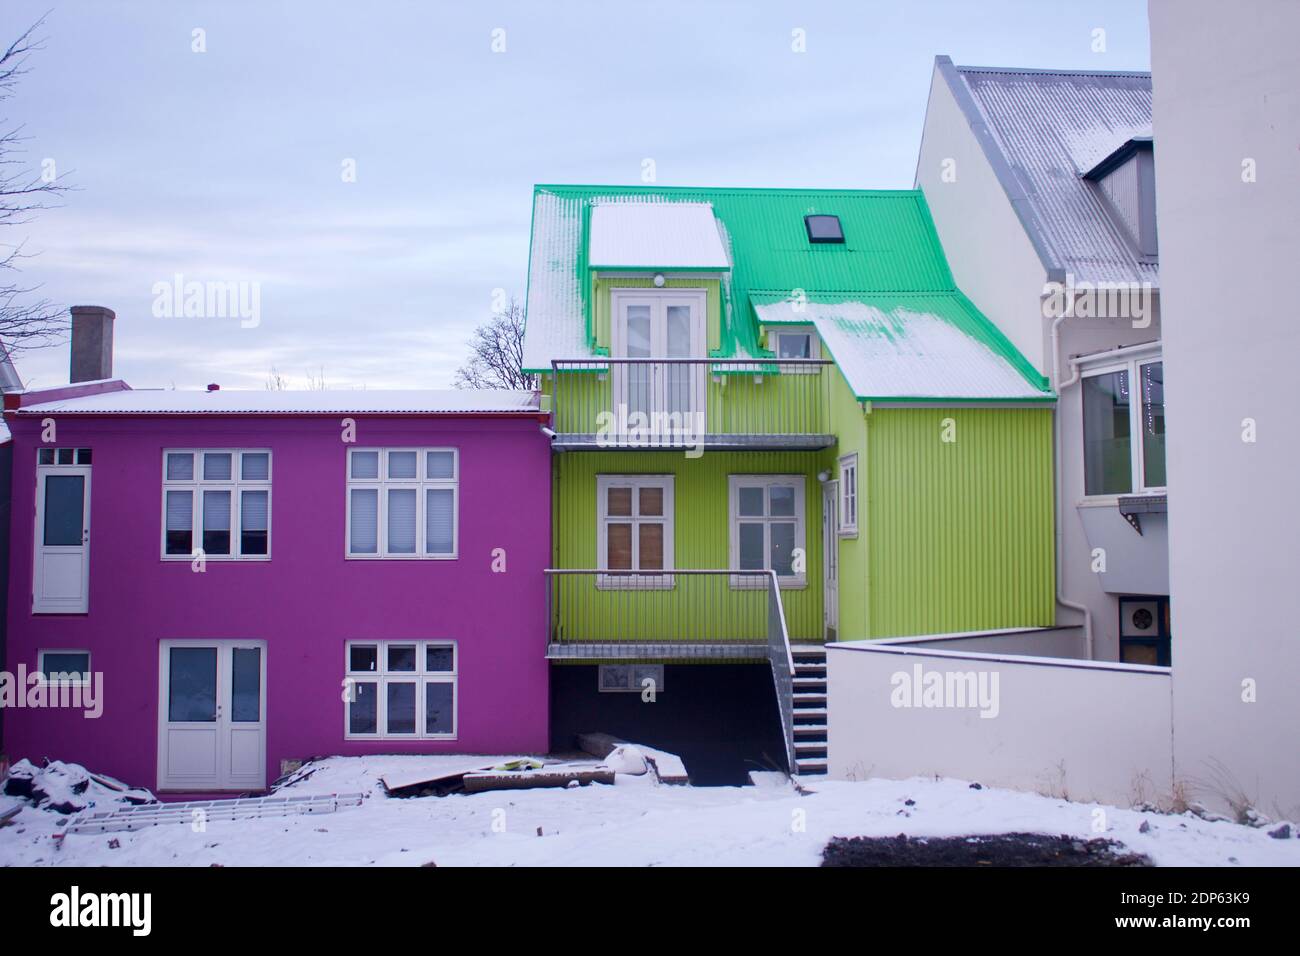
<point x="60" y="582"/>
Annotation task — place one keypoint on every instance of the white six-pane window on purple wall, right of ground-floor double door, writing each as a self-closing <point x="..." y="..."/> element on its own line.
<point x="400" y="690"/>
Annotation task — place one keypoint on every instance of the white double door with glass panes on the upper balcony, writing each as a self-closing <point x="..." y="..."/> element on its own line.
<point x="664" y="399"/>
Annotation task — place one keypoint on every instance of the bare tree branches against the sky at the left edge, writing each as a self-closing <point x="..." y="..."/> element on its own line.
<point x="25" y="323"/>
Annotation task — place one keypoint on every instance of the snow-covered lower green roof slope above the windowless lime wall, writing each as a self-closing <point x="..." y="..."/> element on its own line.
<point x="900" y="352"/>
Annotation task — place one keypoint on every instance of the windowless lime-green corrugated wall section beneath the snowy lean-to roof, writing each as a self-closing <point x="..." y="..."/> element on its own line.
<point x="960" y="534"/>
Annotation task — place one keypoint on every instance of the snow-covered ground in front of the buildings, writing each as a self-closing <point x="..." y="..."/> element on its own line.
<point x="636" y="823"/>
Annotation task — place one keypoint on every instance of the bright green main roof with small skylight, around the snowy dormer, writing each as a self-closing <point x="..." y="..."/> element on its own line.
<point x="891" y="248"/>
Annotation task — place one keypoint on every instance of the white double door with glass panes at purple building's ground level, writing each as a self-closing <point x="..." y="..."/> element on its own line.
<point x="213" y="716"/>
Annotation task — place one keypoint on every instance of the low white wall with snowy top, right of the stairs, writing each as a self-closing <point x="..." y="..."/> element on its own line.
<point x="1077" y="730"/>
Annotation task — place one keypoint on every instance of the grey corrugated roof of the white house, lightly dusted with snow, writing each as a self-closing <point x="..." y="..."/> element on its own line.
<point x="1042" y="132"/>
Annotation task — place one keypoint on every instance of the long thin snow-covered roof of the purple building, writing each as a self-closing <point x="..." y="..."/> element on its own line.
<point x="267" y="403"/>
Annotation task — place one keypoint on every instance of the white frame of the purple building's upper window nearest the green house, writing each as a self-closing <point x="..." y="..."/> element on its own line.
<point x="421" y="485"/>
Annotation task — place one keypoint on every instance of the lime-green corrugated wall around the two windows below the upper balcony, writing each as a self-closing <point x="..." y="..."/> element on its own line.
<point x="701" y="533"/>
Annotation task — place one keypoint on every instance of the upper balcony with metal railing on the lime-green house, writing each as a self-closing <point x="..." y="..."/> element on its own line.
<point x="765" y="405"/>
